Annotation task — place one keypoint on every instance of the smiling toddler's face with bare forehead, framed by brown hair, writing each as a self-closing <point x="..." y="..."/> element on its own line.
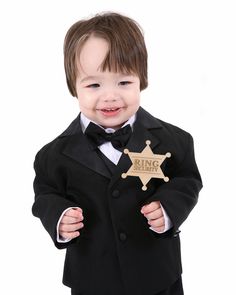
<point x="107" y="98"/>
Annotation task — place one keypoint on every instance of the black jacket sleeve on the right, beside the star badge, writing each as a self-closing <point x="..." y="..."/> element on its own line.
<point x="180" y="194"/>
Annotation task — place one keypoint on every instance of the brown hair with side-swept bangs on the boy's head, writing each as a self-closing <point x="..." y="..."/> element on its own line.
<point x="127" y="50"/>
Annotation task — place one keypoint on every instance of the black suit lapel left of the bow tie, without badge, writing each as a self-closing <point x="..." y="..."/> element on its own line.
<point x="80" y="150"/>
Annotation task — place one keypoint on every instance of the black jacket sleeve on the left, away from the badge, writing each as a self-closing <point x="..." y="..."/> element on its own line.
<point x="50" y="202"/>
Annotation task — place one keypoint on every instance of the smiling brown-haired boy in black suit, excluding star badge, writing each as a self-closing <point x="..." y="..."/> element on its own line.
<point x="119" y="239"/>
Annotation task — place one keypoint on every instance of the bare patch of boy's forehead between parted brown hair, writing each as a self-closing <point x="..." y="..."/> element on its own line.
<point x="92" y="54"/>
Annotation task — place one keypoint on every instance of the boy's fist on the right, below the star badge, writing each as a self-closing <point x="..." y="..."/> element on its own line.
<point x="154" y="215"/>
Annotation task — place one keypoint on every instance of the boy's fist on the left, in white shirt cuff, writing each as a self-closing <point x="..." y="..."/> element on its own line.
<point x="71" y="223"/>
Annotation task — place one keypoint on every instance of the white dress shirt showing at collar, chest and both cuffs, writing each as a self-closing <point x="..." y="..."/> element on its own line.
<point x="114" y="155"/>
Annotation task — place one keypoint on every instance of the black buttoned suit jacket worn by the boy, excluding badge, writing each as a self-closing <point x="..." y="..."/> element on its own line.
<point x="117" y="253"/>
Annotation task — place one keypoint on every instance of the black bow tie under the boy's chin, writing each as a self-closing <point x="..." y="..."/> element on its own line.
<point x="98" y="135"/>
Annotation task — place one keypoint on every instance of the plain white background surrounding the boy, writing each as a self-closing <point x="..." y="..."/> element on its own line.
<point x="192" y="75"/>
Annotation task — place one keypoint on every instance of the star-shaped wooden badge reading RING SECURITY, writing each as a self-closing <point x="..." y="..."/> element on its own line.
<point x="146" y="165"/>
